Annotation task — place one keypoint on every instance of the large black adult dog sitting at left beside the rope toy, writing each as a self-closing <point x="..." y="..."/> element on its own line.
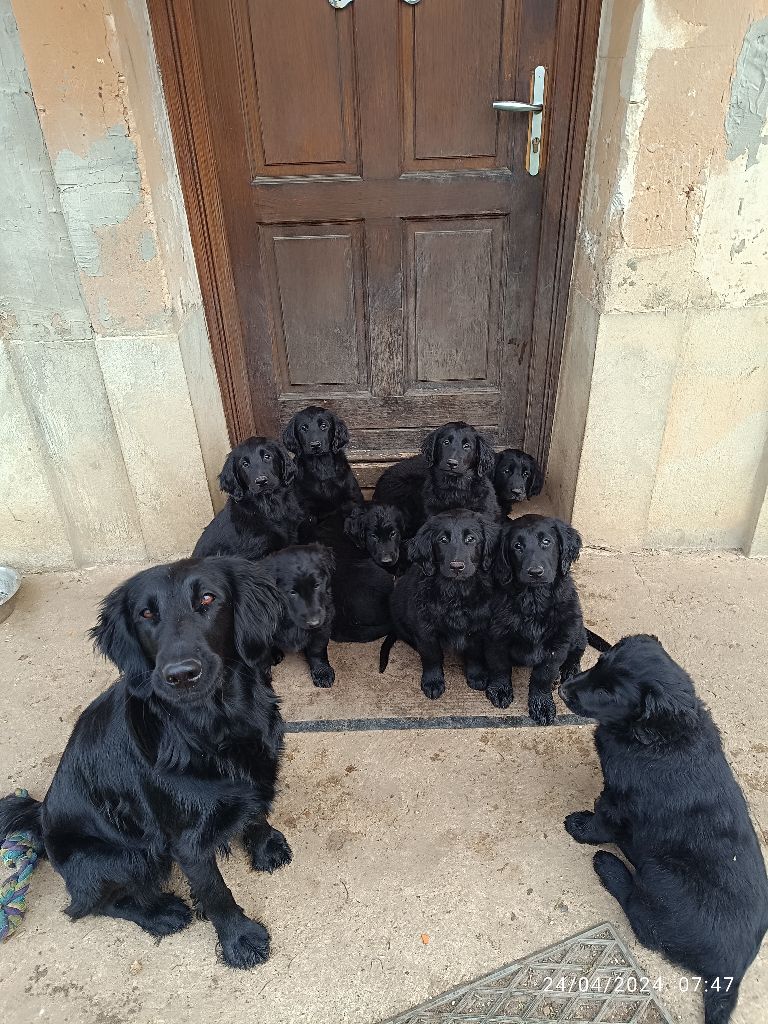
<point x="177" y="760"/>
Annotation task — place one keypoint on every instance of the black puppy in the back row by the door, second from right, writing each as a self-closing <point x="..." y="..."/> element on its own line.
<point x="454" y="472"/>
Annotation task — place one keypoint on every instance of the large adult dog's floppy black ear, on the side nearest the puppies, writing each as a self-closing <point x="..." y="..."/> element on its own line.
<point x="259" y="609"/>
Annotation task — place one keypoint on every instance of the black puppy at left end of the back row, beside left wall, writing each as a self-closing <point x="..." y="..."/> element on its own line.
<point x="264" y="513"/>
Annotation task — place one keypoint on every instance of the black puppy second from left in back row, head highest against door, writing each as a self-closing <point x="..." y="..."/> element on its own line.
<point x="325" y="480"/>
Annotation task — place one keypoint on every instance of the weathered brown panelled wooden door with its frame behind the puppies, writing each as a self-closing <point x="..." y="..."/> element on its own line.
<point x="373" y="238"/>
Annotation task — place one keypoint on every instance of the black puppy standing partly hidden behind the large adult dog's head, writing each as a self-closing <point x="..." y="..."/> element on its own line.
<point x="304" y="578"/>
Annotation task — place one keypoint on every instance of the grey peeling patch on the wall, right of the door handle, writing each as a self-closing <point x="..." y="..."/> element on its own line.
<point x="749" y="105"/>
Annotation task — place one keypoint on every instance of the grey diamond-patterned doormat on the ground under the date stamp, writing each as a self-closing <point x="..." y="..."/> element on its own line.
<point x="590" y="978"/>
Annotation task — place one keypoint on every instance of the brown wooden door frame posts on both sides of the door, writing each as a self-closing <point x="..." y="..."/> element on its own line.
<point x="570" y="104"/>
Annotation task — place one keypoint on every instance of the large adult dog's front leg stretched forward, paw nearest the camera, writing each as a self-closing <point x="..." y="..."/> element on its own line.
<point x="245" y="944"/>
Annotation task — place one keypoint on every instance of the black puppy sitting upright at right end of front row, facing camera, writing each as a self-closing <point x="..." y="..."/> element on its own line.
<point x="536" y="616"/>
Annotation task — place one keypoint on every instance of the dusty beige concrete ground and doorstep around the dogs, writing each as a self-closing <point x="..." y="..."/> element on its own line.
<point x="452" y="835"/>
